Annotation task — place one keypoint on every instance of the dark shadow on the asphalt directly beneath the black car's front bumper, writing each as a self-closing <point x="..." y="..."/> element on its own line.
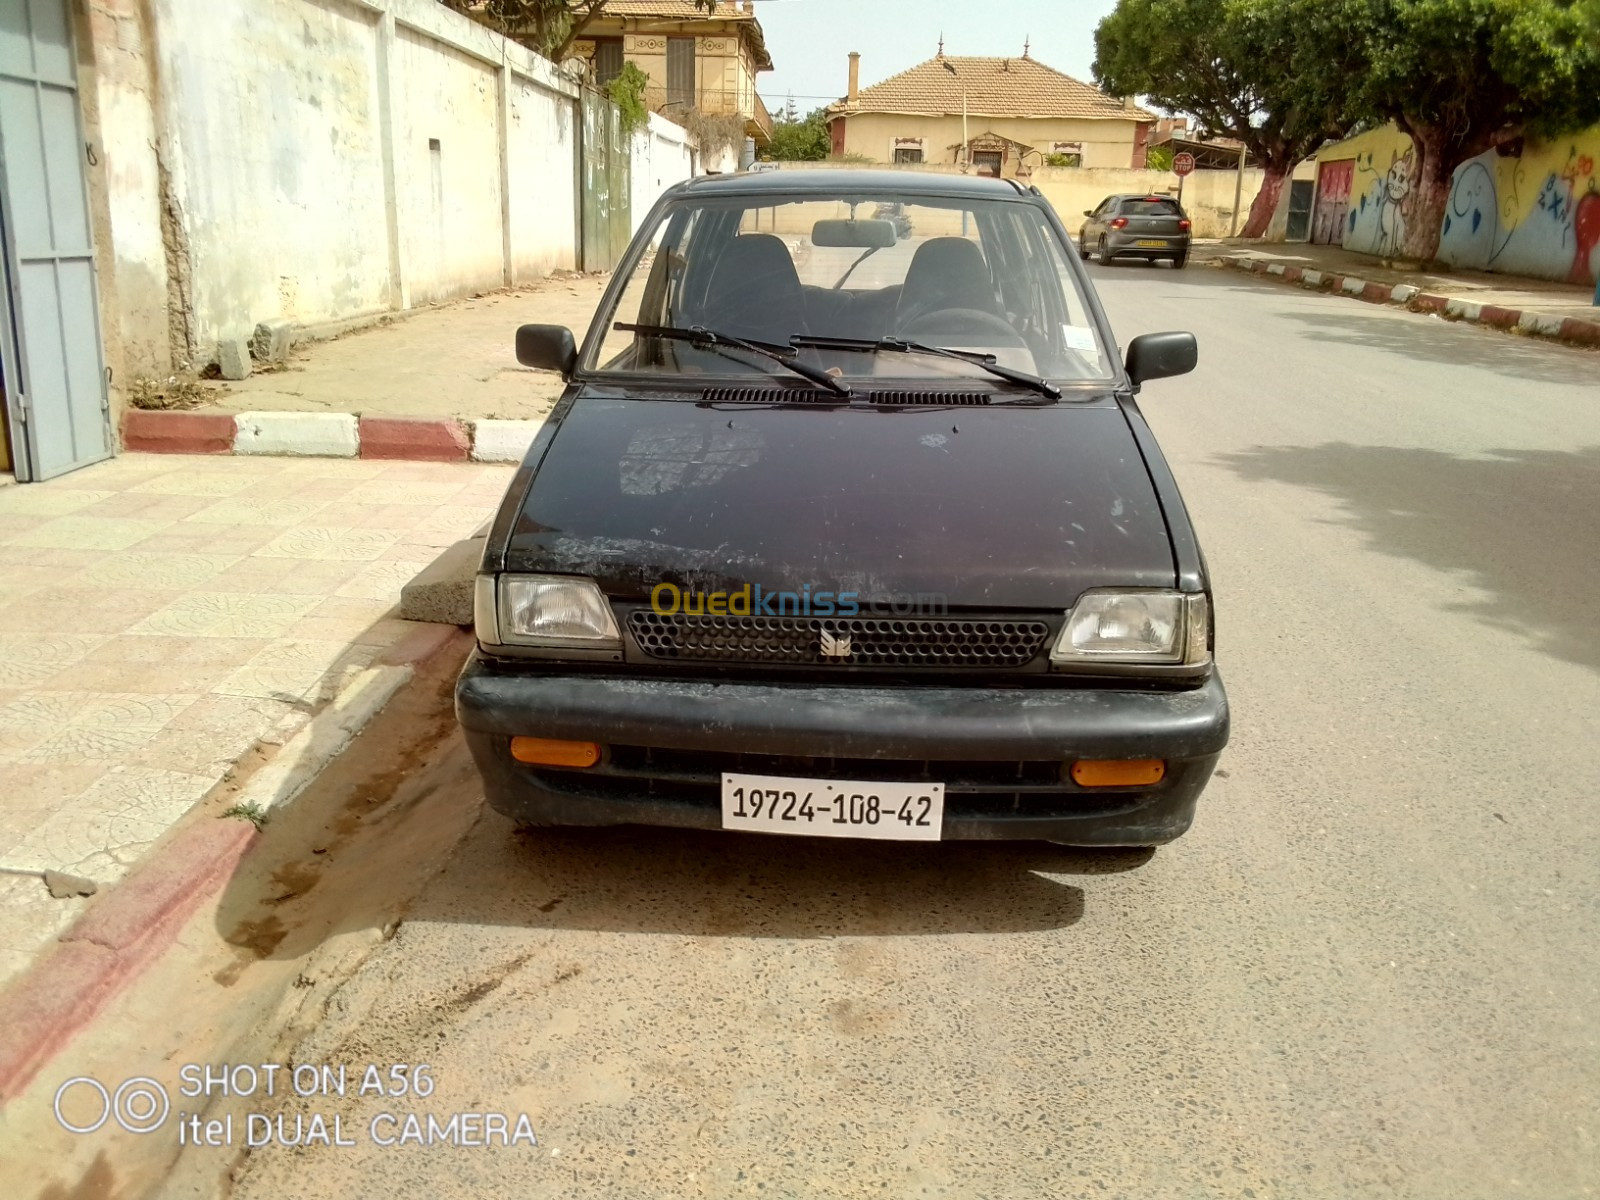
<point x="746" y="886"/>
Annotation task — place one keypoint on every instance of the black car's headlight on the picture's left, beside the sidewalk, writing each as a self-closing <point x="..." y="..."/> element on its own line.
<point x="545" y="610"/>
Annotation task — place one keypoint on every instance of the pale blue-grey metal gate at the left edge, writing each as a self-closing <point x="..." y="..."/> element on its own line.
<point x="50" y="342"/>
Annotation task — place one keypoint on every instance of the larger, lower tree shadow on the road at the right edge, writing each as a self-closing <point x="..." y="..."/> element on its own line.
<point x="1519" y="524"/>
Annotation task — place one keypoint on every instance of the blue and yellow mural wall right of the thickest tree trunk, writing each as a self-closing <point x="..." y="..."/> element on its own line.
<point x="1537" y="214"/>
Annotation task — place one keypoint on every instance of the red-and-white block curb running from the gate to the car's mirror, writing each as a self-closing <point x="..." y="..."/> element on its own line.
<point x="415" y="439"/>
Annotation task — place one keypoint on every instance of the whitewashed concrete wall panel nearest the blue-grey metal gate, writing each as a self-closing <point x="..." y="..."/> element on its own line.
<point x="276" y="151"/>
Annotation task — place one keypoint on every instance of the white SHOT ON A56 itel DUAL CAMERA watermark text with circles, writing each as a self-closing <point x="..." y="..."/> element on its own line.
<point x="401" y="1090"/>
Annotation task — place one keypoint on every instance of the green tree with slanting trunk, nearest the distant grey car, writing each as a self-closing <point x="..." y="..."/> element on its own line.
<point x="1268" y="73"/>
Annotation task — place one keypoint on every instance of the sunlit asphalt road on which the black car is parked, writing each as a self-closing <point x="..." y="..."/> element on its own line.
<point x="1369" y="972"/>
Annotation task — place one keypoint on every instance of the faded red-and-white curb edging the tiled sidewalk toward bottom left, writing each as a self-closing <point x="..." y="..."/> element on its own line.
<point x="140" y="918"/>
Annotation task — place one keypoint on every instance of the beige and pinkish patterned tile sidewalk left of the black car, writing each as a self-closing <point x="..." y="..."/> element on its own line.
<point x="162" y="614"/>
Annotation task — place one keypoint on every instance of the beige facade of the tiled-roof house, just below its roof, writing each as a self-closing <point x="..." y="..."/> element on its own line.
<point x="1106" y="143"/>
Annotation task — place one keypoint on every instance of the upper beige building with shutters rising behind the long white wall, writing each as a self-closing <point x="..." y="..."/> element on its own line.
<point x="695" y="58"/>
